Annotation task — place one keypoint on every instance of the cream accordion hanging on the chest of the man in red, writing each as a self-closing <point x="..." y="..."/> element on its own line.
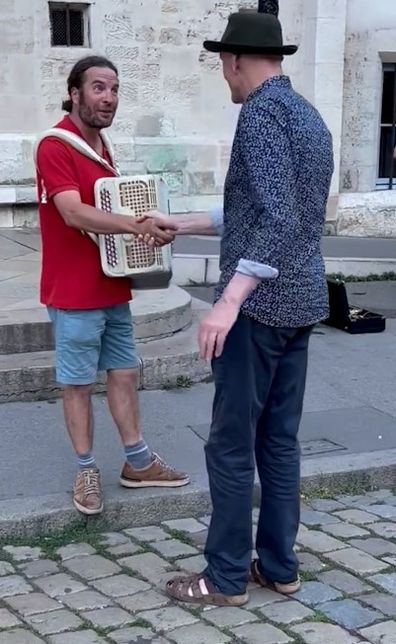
<point x="122" y="255"/>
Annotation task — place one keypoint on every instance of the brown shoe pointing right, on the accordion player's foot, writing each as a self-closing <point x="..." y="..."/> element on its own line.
<point x="158" y="474"/>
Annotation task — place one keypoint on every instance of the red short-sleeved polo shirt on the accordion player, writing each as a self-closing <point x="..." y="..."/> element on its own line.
<point x="71" y="274"/>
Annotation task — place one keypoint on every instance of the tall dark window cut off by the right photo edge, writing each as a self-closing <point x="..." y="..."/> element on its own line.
<point x="387" y="154"/>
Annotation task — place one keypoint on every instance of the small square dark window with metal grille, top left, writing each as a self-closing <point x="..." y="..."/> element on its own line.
<point x="69" y="24"/>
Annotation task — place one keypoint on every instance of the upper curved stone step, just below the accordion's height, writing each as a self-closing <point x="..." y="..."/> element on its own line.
<point x="156" y="314"/>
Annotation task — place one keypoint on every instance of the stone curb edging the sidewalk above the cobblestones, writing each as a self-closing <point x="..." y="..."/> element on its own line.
<point x="30" y="517"/>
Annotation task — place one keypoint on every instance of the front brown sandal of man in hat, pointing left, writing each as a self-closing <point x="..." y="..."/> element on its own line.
<point x="197" y="589"/>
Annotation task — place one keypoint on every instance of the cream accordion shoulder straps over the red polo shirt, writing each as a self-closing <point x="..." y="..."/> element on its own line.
<point x="81" y="146"/>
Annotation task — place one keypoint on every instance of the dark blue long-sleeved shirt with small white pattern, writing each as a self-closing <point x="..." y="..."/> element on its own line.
<point x="275" y="198"/>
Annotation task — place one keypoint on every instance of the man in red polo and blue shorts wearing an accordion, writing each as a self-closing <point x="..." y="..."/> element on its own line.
<point x="90" y="311"/>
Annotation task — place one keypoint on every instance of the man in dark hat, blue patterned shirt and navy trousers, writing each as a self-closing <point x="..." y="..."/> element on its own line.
<point x="272" y="291"/>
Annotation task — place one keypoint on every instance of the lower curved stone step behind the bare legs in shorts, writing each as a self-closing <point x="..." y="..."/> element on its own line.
<point x="165" y="363"/>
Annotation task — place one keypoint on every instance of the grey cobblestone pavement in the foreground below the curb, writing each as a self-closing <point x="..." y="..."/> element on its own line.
<point x="109" y="587"/>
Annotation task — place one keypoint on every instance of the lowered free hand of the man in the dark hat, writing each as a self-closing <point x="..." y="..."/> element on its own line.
<point x="215" y="327"/>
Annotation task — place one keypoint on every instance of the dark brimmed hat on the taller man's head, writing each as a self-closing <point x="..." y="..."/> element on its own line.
<point x="251" y="32"/>
